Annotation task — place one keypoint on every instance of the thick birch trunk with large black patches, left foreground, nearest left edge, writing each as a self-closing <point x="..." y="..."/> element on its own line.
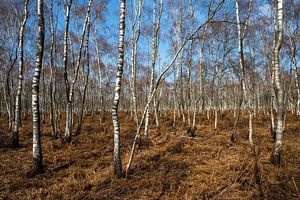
<point x="37" y="165"/>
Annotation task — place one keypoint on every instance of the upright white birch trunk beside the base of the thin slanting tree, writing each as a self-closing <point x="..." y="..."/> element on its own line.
<point x="115" y="117"/>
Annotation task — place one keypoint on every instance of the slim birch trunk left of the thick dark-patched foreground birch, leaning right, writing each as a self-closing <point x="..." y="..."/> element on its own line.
<point x="17" y="120"/>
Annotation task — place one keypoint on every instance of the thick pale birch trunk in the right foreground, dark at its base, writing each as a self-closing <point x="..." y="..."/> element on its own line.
<point x="275" y="158"/>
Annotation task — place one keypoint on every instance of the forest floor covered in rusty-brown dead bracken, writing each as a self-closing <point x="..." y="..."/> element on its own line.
<point x="171" y="165"/>
